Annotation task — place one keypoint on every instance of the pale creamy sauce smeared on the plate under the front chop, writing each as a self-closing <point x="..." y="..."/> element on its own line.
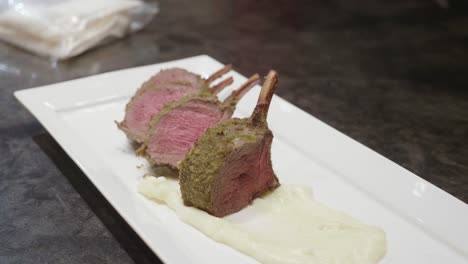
<point x="286" y="226"/>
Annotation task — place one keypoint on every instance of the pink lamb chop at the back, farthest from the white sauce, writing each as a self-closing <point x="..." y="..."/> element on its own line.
<point x="165" y="87"/>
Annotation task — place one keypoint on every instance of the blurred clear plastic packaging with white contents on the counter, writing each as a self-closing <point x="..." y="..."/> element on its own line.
<point x="61" y="29"/>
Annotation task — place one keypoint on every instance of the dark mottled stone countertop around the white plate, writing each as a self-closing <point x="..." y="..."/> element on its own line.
<point x="391" y="74"/>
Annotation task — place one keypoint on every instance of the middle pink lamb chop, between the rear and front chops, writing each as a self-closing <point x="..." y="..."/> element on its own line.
<point x="174" y="130"/>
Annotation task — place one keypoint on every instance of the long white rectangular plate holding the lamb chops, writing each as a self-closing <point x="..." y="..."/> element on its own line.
<point x="423" y="223"/>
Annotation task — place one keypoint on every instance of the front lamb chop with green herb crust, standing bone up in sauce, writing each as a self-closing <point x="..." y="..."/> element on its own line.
<point x="230" y="164"/>
